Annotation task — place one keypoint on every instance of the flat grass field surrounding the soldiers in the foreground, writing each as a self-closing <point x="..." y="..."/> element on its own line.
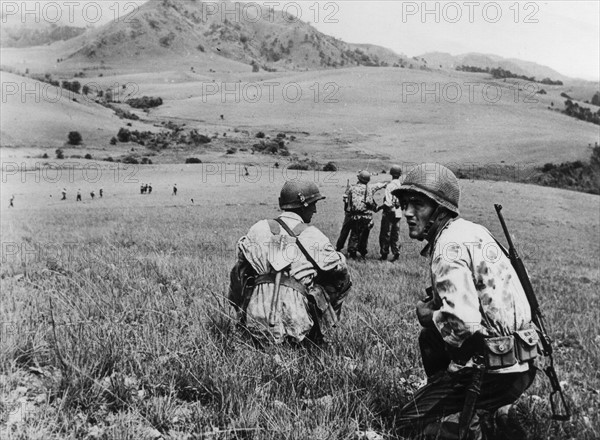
<point x="114" y="324"/>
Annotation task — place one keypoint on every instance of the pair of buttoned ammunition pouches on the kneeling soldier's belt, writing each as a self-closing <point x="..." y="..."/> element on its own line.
<point x="506" y="351"/>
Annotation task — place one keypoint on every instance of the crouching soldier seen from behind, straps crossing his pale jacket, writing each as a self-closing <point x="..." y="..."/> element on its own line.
<point x="289" y="282"/>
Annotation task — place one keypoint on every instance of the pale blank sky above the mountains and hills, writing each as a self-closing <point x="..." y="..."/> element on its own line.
<point x="564" y="35"/>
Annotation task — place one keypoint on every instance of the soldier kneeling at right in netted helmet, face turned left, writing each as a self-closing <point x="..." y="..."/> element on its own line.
<point x="477" y="332"/>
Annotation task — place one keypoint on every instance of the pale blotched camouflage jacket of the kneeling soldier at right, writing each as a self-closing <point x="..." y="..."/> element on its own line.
<point x="475" y="286"/>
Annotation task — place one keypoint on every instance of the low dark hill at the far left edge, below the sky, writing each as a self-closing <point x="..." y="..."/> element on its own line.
<point x="26" y="36"/>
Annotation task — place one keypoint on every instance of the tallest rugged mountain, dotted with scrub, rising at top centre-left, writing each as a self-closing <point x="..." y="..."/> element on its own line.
<point x="182" y="27"/>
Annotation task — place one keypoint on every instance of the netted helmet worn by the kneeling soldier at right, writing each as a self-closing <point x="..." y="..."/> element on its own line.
<point x="436" y="182"/>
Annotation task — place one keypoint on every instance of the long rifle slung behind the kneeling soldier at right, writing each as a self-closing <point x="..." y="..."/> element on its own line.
<point x="538" y="320"/>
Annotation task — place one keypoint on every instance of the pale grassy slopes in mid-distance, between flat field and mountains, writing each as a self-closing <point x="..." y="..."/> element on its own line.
<point x="356" y="117"/>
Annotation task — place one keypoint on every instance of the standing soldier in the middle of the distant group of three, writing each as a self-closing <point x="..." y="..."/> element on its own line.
<point x="361" y="205"/>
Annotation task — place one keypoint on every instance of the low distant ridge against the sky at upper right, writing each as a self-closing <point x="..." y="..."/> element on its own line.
<point x="520" y="67"/>
